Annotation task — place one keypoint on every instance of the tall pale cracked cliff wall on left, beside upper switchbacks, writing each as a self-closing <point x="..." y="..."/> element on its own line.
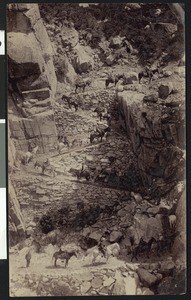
<point x="32" y="79"/>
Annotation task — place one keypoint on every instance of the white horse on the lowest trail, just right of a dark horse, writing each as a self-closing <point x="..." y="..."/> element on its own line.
<point x="110" y="250"/>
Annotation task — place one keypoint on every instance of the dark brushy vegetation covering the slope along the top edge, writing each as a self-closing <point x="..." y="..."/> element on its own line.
<point x="106" y="20"/>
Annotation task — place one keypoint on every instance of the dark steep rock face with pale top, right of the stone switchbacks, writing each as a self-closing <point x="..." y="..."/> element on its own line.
<point x="156" y="135"/>
